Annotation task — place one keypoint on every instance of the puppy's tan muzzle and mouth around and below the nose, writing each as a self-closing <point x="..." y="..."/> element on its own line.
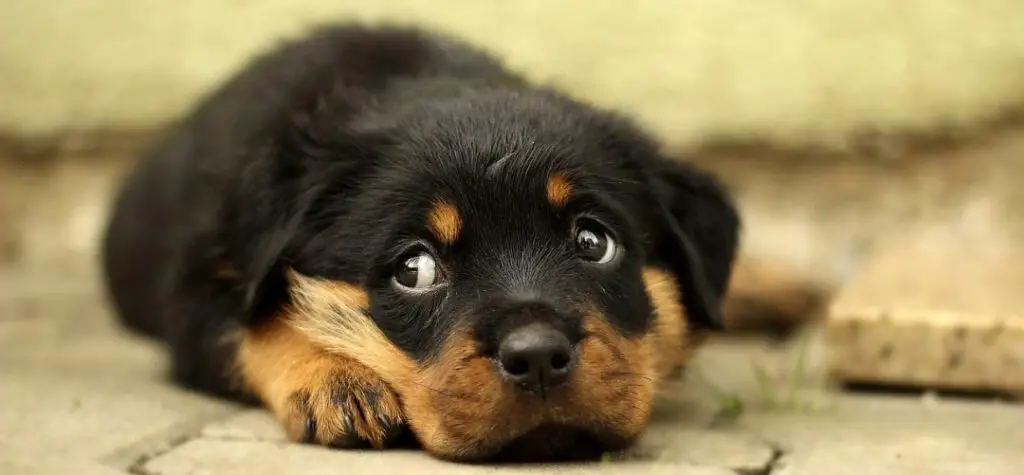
<point x="462" y="409"/>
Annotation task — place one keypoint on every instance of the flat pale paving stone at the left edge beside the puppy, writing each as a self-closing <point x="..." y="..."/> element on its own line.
<point x="73" y="386"/>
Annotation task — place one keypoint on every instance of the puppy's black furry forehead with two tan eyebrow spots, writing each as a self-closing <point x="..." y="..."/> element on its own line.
<point x="505" y="174"/>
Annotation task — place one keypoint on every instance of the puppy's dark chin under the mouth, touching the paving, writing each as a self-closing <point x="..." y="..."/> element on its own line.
<point x="557" y="443"/>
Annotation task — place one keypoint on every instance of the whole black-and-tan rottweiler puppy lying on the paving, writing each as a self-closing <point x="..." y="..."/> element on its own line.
<point x="374" y="230"/>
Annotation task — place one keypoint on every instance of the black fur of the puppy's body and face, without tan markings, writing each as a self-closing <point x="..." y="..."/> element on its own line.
<point x="326" y="155"/>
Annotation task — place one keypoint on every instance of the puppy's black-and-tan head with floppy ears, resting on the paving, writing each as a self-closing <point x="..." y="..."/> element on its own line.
<point x="525" y="272"/>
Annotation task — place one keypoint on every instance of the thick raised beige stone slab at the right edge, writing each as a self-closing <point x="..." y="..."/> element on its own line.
<point x="945" y="314"/>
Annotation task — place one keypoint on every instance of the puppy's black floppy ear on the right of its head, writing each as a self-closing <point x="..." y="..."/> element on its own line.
<point x="693" y="224"/>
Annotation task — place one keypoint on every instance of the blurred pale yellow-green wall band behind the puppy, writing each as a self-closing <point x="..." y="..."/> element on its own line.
<point x="789" y="72"/>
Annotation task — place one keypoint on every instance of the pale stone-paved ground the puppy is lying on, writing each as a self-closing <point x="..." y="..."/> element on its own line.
<point x="80" y="397"/>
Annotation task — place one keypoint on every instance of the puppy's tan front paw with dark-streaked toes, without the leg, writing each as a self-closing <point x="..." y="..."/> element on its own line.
<point x="350" y="409"/>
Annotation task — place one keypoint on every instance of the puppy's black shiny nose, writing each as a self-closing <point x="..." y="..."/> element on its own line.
<point x="536" y="358"/>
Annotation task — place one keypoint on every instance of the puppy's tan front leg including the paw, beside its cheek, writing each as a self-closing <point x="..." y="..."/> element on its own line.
<point x="319" y="398"/>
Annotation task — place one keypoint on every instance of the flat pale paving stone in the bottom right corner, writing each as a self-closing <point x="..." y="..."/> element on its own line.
<point x="898" y="436"/>
